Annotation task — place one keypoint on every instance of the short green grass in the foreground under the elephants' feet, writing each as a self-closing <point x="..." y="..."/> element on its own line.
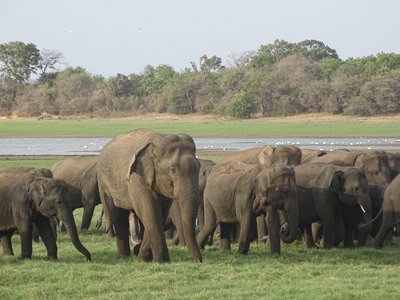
<point x="296" y="274"/>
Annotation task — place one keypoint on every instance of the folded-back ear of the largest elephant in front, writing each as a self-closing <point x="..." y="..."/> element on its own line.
<point x="142" y="163"/>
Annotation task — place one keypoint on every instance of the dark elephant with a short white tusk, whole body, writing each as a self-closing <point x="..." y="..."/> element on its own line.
<point x="338" y="197"/>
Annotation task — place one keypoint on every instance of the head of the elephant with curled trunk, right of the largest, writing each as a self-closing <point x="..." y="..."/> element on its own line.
<point x="275" y="188"/>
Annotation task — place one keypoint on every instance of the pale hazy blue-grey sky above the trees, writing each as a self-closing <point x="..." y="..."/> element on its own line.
<point x="123" y="36"/>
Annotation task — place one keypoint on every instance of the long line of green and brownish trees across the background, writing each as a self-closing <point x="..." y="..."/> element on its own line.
<point x="278" y="79"/>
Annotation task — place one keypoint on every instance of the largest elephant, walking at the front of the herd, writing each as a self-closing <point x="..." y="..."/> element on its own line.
<point x="144" y="171"/>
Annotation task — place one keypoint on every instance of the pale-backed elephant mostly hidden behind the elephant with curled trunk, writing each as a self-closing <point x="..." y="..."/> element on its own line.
<point x="281" y="155"/>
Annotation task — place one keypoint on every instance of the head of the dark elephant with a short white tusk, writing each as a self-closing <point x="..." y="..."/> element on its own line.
<point x="351" y="186"/>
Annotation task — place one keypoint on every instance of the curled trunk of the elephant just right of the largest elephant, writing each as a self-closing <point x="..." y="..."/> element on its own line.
<point x="289" y="231"/>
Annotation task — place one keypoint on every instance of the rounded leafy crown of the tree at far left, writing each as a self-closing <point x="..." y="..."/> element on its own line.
<point x="18" y="60"/>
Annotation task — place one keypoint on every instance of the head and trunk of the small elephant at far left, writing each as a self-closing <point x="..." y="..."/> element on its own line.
<point x="50" y="198"/>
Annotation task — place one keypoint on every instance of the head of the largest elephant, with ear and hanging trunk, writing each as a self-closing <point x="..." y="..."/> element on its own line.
<point x="171" y="169"/>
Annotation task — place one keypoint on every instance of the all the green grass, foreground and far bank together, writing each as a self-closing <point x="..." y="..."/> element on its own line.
<point x="362" y="273"/>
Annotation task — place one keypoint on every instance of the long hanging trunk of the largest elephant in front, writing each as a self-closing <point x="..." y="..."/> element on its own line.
<point x="189" y="204"/>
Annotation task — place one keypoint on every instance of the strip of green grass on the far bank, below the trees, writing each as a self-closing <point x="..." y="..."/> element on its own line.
<point x="209" y="127"/>
